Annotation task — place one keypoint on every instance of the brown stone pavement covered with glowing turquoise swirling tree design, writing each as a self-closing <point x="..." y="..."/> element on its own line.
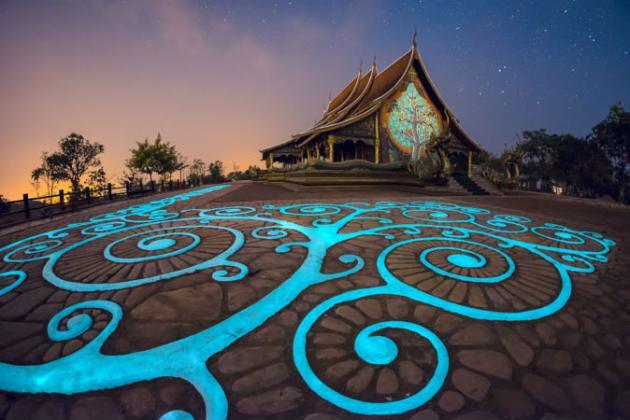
<point x="261" y="309"/>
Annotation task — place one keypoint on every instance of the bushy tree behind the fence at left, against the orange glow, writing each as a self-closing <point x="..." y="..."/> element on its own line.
<point x="75" y="157"/>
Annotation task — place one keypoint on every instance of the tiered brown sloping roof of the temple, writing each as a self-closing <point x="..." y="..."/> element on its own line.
<point x="364" y="95"/>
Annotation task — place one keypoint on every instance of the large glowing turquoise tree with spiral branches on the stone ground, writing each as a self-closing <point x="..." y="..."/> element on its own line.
<point x="429" y="239"/>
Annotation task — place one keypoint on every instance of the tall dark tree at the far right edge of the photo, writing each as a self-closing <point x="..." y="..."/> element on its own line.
<point x="613" y="136"/>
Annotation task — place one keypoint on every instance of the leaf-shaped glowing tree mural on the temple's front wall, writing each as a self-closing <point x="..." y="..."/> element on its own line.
<point x="412" y="122"/>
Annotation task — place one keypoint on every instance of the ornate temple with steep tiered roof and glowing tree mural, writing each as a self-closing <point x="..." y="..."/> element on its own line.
<point x="388" y="121"/>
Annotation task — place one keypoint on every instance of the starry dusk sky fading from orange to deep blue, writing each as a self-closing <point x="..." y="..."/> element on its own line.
<point x="222" y="79"/>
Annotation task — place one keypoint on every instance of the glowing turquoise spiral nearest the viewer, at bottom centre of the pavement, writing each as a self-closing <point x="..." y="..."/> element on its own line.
<point x="377" y="350"/>
